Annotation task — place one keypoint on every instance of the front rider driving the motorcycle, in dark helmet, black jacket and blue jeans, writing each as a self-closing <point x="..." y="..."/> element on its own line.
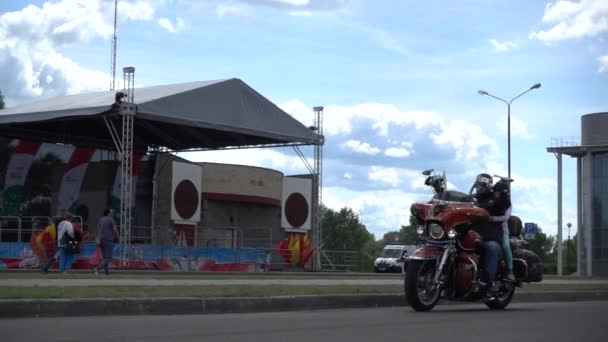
<point x="491" y="231"/>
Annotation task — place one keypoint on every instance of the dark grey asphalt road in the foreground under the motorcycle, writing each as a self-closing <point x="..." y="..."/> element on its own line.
<point x="555" y="322"/>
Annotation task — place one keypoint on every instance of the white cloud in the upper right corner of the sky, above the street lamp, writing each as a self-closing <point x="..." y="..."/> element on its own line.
<point x="572" y="20"/>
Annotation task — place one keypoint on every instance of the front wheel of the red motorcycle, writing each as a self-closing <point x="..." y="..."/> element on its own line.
<point x="420" y="291"/>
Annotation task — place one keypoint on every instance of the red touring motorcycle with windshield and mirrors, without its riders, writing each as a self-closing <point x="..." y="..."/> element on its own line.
<point x="448" y="265"/>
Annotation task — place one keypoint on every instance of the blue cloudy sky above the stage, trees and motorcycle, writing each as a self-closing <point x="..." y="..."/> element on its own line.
<point x="399" y="81"/>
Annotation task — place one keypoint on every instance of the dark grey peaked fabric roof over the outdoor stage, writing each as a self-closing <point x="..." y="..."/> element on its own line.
<point x="198" y="115"/>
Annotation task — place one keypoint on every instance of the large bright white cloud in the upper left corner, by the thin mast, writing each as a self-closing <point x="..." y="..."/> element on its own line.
<point x="31" y="65"/>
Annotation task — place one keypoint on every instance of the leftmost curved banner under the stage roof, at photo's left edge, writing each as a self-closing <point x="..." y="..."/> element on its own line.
<point x="16" y="173"/>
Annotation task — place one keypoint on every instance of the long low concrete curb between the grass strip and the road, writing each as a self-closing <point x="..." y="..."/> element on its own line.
<point x="185" y="306"/>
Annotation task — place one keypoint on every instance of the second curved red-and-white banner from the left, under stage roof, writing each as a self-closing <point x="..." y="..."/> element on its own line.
<point x="71" y="182"/>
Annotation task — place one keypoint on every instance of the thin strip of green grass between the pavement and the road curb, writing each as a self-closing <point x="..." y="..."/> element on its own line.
<point x="233" y="291"/>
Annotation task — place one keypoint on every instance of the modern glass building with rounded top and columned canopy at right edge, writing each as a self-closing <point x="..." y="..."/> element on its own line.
<point x="592" y="193"/>
